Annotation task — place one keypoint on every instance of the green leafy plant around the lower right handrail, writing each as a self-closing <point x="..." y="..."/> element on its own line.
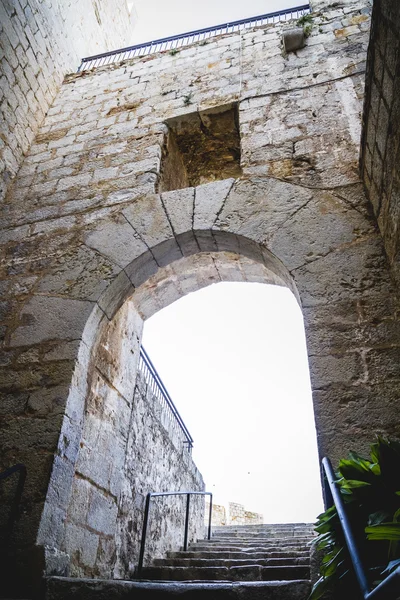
<point x="371" y="491"/>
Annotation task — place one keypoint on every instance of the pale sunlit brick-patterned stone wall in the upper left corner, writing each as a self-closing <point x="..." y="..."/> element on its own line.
<point x="41" y="41"/>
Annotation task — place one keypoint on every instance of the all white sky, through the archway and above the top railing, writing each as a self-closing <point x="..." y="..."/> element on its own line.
<point x="233" y="356"/>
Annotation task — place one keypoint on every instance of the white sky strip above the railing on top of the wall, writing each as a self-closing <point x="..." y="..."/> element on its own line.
<point x="161" y="18"/>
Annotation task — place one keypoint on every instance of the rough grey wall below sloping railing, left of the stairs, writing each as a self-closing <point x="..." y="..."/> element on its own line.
<point x="157" y="461"/>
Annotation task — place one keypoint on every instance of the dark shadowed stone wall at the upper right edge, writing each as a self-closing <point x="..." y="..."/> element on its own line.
<point x="380" y="150"/>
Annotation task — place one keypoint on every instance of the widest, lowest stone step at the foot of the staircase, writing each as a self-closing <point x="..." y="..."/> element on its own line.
<point x="59" y="588"/>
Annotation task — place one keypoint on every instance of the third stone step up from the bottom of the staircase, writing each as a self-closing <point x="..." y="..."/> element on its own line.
<point x="226" y="562"/>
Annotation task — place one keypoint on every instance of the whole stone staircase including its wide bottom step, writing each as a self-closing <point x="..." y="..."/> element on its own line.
<point x="252" y="562"/>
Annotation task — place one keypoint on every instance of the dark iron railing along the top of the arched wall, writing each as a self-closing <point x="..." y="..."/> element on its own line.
<point x="175" y="42"/>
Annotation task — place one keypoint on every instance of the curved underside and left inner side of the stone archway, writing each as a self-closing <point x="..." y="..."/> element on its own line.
<point x="209" y="257"/>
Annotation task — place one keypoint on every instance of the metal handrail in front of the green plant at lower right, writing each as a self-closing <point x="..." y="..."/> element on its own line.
<point x="389" y="588"/>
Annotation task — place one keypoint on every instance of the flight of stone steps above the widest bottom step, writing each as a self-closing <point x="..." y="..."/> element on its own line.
<point x="241" y="553"/>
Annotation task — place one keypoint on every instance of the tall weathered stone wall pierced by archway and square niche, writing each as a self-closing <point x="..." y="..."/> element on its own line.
<point x="109" y="220"/>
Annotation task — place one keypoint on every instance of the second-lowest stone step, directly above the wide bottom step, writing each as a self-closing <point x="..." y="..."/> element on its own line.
<point x="244" y="573"/>
